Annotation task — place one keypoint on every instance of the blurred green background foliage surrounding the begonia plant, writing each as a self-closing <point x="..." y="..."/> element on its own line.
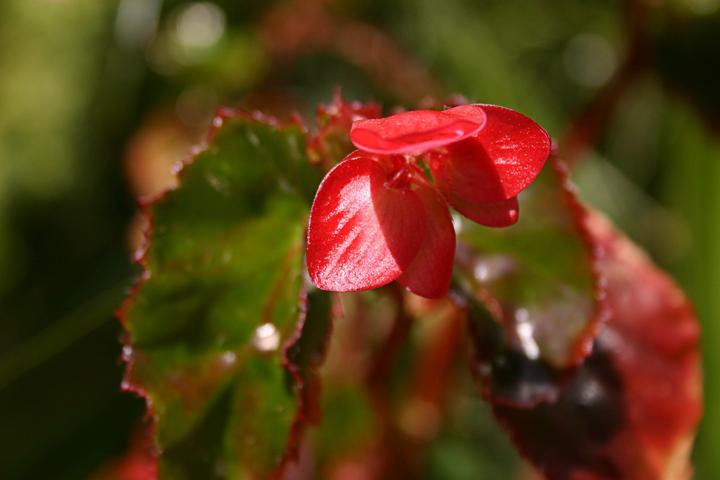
<point x="91" y="91"/>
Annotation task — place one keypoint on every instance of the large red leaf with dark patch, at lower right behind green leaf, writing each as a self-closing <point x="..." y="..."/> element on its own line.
<point x="631" y="409"/>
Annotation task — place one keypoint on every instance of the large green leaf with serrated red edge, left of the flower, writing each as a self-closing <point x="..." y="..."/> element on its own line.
<point x="215" y="331"/>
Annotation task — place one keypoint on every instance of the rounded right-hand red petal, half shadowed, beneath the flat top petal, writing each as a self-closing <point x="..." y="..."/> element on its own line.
<point x="499" y="162"/>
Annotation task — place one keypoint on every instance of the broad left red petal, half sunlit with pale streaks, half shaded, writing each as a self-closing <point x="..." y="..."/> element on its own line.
<point x="362" y="234"/>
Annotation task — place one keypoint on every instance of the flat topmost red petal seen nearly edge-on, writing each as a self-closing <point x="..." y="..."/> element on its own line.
<point x="414" y="132"/>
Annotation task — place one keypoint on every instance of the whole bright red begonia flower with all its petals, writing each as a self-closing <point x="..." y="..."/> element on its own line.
<point x="376" y="216"/>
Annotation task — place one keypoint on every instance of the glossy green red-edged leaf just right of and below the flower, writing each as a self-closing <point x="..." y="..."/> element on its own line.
<point x="537" y="279"/>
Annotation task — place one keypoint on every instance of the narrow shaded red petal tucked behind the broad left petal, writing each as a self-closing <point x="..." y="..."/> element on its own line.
<point x="429" y="273"/>
